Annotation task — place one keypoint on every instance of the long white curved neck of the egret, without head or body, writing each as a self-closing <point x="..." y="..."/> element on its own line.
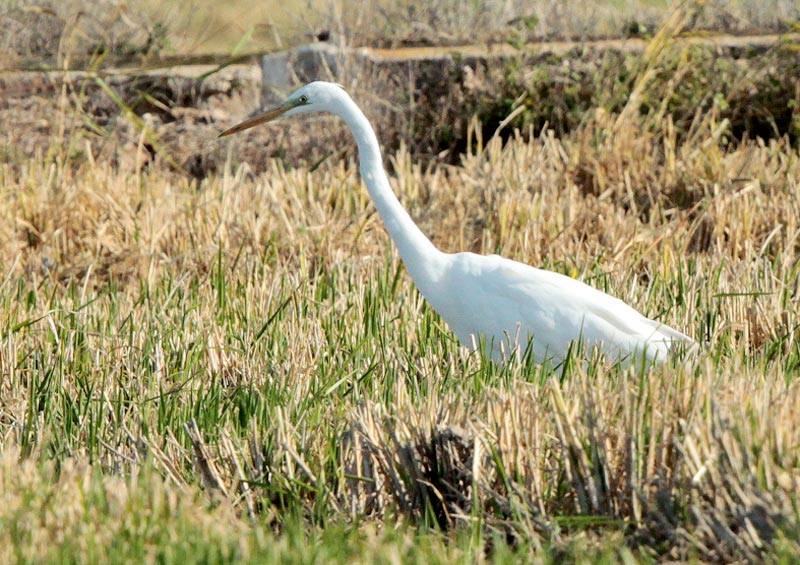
<point x="415" y="249"/>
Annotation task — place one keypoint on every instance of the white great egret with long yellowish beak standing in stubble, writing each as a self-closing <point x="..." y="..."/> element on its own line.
<point x="497" y="302"/>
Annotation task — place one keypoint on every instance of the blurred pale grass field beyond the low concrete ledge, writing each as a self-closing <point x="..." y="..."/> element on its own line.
<point x="80" y="33"/>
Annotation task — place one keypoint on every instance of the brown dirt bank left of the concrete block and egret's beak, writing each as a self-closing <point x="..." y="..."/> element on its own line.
<point x="128" y="120"/>
